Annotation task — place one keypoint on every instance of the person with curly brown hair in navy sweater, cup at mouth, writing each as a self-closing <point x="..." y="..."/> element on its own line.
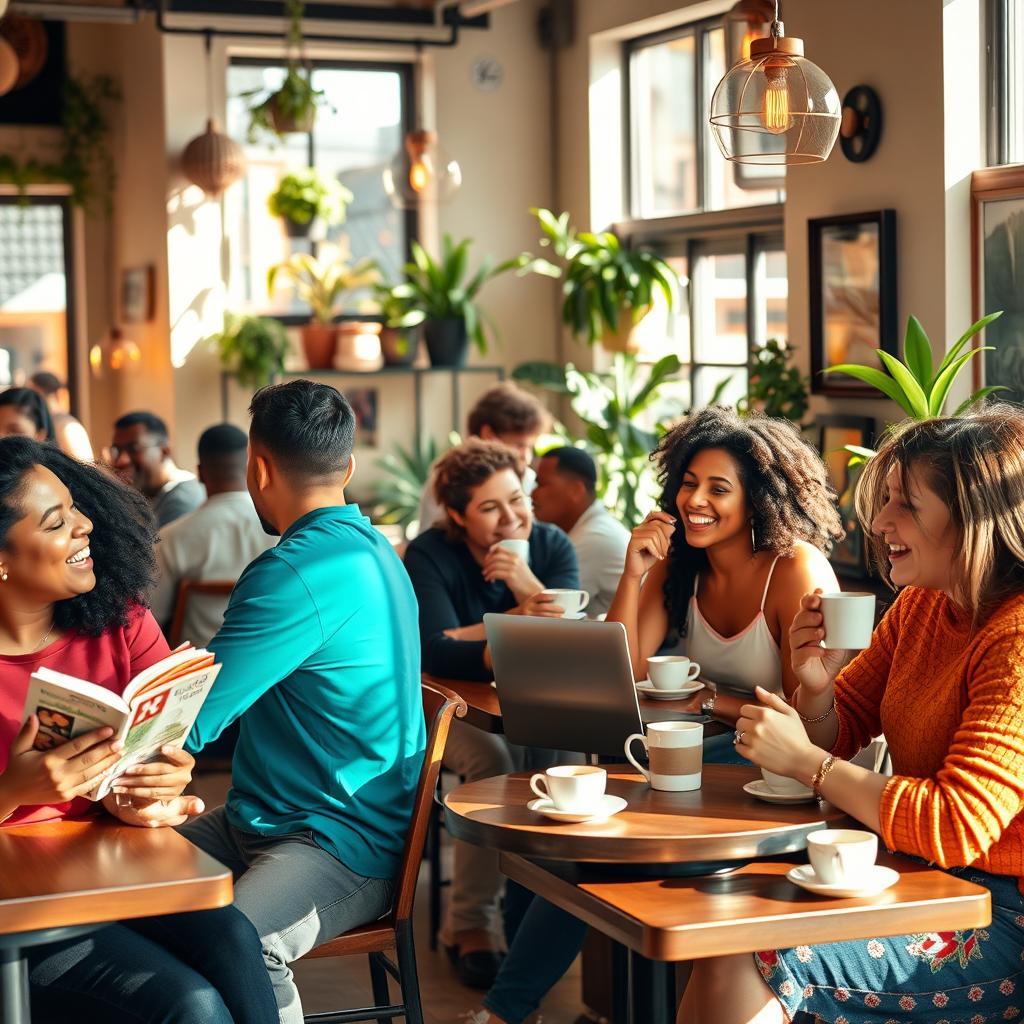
<point x="492" y="557"/>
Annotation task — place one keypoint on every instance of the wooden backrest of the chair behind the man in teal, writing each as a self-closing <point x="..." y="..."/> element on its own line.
<point x="440" y="707"/>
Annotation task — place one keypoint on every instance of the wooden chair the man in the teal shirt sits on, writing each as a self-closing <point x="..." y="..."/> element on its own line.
<point x="396" y="931"/>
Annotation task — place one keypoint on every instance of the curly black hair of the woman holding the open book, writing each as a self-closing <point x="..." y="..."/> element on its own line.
<point x="122" y="540"/>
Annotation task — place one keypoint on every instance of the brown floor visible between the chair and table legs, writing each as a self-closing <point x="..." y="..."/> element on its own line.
<point x="334" y="985"/>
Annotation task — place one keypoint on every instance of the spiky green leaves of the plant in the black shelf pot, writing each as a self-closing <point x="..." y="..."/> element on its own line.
<point x="445" y="289"/>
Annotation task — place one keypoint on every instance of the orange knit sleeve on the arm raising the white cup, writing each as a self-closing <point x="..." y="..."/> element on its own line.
<point x="860" y="688"/>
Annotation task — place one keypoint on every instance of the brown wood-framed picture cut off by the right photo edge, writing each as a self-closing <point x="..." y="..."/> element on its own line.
<point x="998" y="264"/>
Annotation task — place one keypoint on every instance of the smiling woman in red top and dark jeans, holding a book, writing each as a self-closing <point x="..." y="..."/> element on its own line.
<point x="76" y="561"/>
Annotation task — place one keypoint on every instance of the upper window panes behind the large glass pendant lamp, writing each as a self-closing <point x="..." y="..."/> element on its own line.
<point x="675" y="167"/>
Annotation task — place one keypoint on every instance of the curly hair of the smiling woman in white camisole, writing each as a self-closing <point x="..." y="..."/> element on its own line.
<point x="784" y="479"/>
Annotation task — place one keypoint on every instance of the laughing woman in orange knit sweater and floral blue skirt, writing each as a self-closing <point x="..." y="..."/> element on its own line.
<point x="944" y="679"/>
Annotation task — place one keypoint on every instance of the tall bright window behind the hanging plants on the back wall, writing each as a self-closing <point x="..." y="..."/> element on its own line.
<point x="355" y="139"/>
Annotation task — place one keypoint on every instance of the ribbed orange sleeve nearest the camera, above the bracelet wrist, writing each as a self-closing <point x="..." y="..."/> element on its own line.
<point x="954" y="818"/>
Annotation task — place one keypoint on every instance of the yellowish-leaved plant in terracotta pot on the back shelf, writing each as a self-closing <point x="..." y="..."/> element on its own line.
<point x="324" y="284"/>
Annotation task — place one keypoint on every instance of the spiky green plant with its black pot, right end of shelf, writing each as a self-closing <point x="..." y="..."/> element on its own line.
<point x="446" y="293"/>
